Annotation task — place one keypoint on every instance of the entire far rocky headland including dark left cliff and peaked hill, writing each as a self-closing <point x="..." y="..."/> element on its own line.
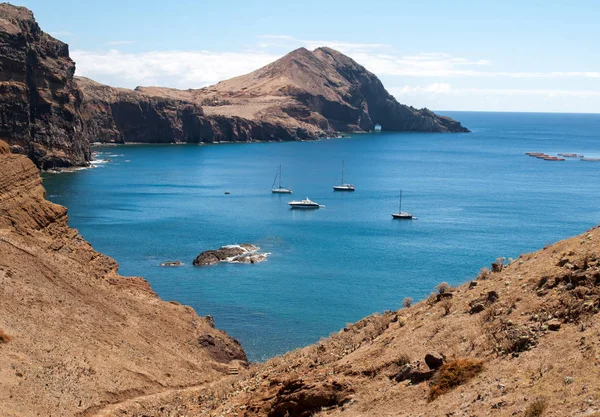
<point x="52" y="116"/>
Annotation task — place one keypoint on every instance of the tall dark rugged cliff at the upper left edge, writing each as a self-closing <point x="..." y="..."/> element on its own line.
<point x="39" y="102"/>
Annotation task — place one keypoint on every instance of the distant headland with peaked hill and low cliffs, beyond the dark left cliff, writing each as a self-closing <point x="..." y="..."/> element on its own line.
<point x="304" y="95"/>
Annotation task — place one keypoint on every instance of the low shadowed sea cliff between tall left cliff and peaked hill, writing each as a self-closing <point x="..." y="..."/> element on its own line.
<point x="124" y="116"/>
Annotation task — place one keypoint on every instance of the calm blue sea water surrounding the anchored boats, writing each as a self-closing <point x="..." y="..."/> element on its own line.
<point x="477" y="197"/>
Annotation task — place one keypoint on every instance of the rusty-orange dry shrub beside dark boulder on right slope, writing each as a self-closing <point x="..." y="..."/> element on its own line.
<point x="452" y="374"/>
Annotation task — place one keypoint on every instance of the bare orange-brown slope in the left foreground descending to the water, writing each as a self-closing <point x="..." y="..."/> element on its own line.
<point x="76" y="336"/>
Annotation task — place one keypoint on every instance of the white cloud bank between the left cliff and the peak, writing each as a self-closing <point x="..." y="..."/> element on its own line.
<point x="177" y="69"/>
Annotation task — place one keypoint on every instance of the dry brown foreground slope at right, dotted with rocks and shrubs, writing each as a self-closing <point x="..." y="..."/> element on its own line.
<point x="521" y="341"/>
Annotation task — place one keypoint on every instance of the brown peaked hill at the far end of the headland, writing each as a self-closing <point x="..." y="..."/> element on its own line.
<point x="323" y="92"/>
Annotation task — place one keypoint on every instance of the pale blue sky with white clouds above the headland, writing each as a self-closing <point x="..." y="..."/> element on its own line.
<point x="534" y="56"/>
